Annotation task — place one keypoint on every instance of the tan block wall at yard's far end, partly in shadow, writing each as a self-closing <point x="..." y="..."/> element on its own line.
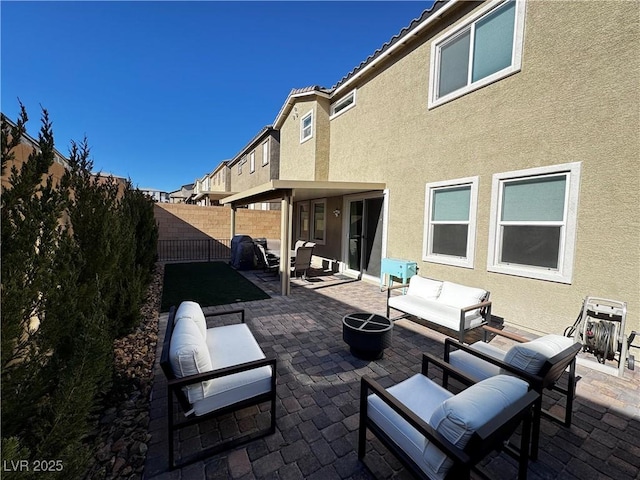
<point x="181" y="221"/>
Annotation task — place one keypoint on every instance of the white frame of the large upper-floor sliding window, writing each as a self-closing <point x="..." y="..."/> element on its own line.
<point x="516" y="59"/>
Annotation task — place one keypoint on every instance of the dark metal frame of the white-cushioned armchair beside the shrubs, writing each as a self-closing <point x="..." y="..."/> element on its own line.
<point x="175" y="386"/>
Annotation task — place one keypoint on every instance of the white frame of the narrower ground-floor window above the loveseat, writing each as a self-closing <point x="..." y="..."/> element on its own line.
<point x="427" y="250"/>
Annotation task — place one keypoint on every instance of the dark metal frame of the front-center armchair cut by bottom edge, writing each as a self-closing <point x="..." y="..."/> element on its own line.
<point x="485" y="440"/>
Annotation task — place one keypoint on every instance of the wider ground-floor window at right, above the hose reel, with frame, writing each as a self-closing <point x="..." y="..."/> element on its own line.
<point x="533" y="222"/>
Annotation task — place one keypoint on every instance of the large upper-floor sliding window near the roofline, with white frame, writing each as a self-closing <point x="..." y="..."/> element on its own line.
<point x="485" y="49"/>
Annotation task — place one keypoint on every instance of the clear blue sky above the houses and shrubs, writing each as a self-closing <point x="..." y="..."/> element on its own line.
<point x="164" y="91"/>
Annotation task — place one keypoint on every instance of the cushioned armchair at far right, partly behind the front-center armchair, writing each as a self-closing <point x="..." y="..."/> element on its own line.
<point x="541" y="362"/>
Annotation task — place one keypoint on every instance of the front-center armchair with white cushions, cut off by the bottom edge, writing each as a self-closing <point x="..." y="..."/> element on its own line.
<point x="437" y="434"/>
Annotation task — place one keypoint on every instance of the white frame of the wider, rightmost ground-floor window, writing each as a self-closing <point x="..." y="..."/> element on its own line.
<point x="566" y="253"/>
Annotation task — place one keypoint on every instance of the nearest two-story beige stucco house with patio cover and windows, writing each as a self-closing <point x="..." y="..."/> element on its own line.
<point x="497" y="144"/>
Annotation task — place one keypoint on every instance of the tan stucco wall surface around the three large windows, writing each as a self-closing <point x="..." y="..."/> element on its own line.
<point x="576" y="99"/>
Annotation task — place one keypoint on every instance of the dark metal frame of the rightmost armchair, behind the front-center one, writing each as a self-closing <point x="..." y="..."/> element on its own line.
<point x="546" y="378"/>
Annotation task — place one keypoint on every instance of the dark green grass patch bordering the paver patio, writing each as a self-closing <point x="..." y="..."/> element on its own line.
<point x="208" y="284"/>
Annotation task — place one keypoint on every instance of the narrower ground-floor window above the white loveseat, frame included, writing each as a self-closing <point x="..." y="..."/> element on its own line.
<point x="450" y="223"/>
